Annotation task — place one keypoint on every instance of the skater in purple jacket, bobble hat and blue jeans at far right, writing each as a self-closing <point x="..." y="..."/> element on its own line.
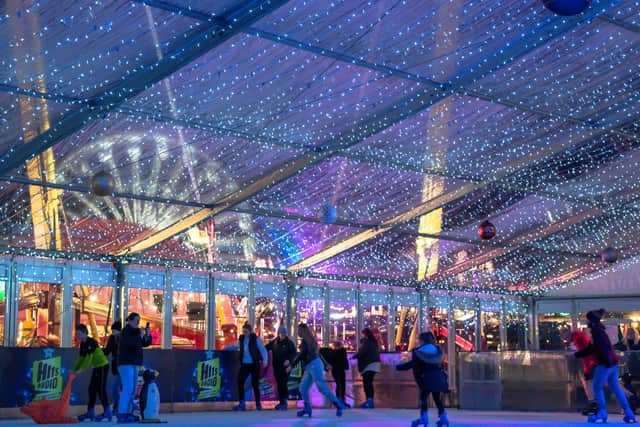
<point x="606" y="371"/>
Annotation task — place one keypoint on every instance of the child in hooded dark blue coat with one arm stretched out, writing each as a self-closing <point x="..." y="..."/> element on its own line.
<point x="426" y="363"/>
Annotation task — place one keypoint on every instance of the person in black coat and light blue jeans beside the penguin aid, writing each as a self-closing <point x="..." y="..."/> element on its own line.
<point x="132" y="340"/>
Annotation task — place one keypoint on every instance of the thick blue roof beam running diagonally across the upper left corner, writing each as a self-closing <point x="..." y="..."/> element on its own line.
<point x="202" y="41"/>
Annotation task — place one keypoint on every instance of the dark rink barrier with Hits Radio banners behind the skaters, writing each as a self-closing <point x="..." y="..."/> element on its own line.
<point x="190" y="380"/>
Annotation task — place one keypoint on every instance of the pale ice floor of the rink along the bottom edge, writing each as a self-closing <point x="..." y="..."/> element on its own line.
<point x="361" y="418"/>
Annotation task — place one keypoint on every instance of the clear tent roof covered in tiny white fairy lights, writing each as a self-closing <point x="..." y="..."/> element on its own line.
<point x="554" y="122"/>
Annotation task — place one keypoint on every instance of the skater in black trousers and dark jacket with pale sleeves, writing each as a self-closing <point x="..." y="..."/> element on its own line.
<point x="253" y="357"/>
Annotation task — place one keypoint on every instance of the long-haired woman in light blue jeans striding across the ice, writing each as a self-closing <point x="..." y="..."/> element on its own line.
<point x="313" y="372"/>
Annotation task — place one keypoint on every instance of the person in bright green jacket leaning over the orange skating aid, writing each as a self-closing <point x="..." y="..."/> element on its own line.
<point x="91" y="355"/>
